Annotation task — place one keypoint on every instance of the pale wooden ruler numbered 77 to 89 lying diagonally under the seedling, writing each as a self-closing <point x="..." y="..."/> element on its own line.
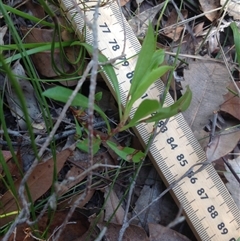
<point x="208" y="206"/>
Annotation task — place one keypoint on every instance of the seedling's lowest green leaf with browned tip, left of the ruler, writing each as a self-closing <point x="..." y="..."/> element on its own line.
<point x="127" y="153"/>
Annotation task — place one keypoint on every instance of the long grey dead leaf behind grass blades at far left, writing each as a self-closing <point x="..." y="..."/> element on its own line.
<point x="29" y="95"/>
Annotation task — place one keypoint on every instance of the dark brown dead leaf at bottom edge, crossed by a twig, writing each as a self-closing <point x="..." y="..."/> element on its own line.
<point x="133" y="232"/>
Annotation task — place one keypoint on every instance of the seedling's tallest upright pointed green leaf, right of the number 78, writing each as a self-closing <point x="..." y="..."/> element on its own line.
<point x="144" y="58"/>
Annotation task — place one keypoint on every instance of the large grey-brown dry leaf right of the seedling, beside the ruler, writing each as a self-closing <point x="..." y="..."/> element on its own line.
<point x="207" y="81"/>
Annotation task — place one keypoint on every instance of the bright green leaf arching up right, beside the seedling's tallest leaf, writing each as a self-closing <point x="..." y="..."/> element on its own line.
<point x="148" y="80"/>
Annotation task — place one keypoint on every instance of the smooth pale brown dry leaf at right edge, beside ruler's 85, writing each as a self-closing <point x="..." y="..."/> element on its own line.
<point x="223" y="144"/>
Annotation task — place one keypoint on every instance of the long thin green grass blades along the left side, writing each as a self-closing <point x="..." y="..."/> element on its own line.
<point x="23" y="51"/>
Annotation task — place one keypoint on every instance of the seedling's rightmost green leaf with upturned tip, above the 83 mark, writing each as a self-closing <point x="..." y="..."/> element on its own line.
<point x="180" y="105"/>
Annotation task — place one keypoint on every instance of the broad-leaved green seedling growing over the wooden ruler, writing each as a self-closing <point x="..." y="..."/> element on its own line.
<point x="148" y="111"/>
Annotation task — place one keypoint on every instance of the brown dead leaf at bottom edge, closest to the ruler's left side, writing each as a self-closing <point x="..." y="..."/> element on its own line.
<point x="158" y="232"/>
